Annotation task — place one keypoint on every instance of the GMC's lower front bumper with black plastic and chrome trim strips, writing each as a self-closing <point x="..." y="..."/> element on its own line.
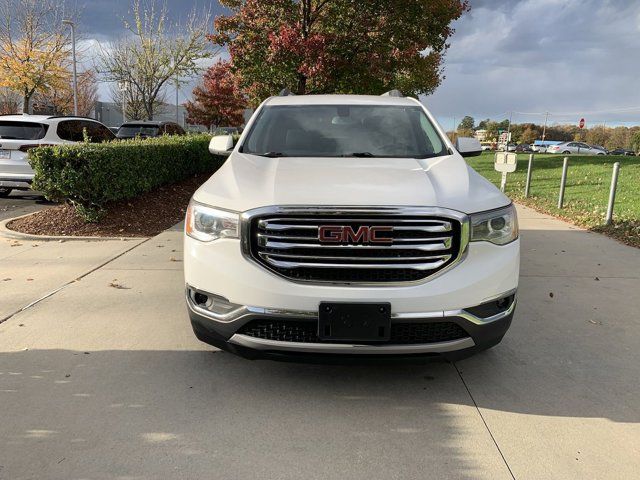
<point x="483" y="328"/>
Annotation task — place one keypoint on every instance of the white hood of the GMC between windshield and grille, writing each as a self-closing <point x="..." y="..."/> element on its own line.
<point x="249" y="181"/>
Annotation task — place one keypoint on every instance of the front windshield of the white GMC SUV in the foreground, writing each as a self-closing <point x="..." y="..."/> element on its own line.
<point x="344" y="131"/>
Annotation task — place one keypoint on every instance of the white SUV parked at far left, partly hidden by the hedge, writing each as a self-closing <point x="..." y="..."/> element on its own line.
<point x="20" y="133"/>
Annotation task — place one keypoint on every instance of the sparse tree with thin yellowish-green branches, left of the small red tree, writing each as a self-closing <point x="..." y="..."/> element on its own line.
<point x="156" y="52"/>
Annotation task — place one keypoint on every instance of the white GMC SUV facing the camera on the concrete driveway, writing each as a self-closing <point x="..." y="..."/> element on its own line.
<point x="349" y="225"/>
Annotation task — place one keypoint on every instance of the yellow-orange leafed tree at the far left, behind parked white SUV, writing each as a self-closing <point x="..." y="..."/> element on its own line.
<point x="34" y="46"/>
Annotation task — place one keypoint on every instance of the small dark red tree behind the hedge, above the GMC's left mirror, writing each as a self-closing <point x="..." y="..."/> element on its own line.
<point x="218" y="101"/>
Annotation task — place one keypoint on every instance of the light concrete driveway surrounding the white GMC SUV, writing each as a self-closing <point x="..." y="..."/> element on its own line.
<point x="104" y="380"/>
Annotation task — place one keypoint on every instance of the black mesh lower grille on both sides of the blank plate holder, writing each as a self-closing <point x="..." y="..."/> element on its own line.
<point x="307" y="331"/>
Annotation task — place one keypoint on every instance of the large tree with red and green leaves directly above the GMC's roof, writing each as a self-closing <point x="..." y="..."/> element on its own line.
<point x="337" y="46"/>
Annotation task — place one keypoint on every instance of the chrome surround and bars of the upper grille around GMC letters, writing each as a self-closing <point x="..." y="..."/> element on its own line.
<point x="426" y="241"/>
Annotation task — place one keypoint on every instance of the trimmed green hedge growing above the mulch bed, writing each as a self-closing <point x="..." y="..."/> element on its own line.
<point x="90" y="175"/>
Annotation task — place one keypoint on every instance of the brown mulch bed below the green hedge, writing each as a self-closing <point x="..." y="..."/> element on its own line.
<point x="145" y="216"/>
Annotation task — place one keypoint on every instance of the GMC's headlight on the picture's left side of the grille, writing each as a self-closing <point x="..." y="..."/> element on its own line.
<point x="207" y="224"/>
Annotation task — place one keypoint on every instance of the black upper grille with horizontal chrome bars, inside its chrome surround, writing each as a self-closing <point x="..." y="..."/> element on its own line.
<point x="415" y="246"/>
